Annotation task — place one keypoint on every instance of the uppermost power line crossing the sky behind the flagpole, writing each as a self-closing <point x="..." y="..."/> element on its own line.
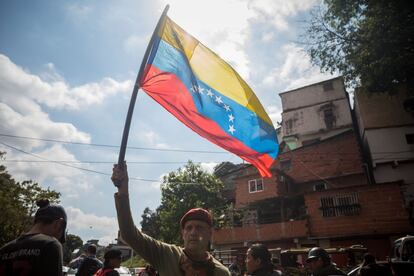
<point x="107" y="145"/>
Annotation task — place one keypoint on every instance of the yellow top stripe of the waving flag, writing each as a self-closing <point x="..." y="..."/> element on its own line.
<point x="212" y="70"/>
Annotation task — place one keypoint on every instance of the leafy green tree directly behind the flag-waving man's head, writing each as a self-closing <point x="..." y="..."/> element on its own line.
<point x="188" y="187"/>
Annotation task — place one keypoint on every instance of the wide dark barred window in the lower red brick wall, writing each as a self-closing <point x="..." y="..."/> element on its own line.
<point x="340" y="205"/>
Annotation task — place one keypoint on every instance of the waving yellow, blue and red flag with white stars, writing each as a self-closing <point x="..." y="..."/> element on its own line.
<point x="208" y="95"/>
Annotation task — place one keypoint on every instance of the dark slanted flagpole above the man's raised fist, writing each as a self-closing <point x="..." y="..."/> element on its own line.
<point x="125" y="134"/>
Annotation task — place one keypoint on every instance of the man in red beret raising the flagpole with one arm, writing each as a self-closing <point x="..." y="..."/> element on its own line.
<point x="196" y="229"/>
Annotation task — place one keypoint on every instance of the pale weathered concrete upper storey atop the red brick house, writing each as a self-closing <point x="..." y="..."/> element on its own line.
<point x="315" y="112"/>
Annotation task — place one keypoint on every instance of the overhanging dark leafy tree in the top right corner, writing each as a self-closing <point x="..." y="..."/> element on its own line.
<point x="370" y="43"/>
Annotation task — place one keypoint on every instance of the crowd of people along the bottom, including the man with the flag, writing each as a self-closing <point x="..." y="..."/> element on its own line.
<point x="39" y="251"/>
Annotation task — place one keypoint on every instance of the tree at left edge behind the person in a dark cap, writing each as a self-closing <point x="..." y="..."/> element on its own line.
<point x="18" y="203"/>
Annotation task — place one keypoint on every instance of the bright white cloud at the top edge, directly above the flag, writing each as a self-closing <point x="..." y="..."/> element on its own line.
<point x="212" y="22"/>
